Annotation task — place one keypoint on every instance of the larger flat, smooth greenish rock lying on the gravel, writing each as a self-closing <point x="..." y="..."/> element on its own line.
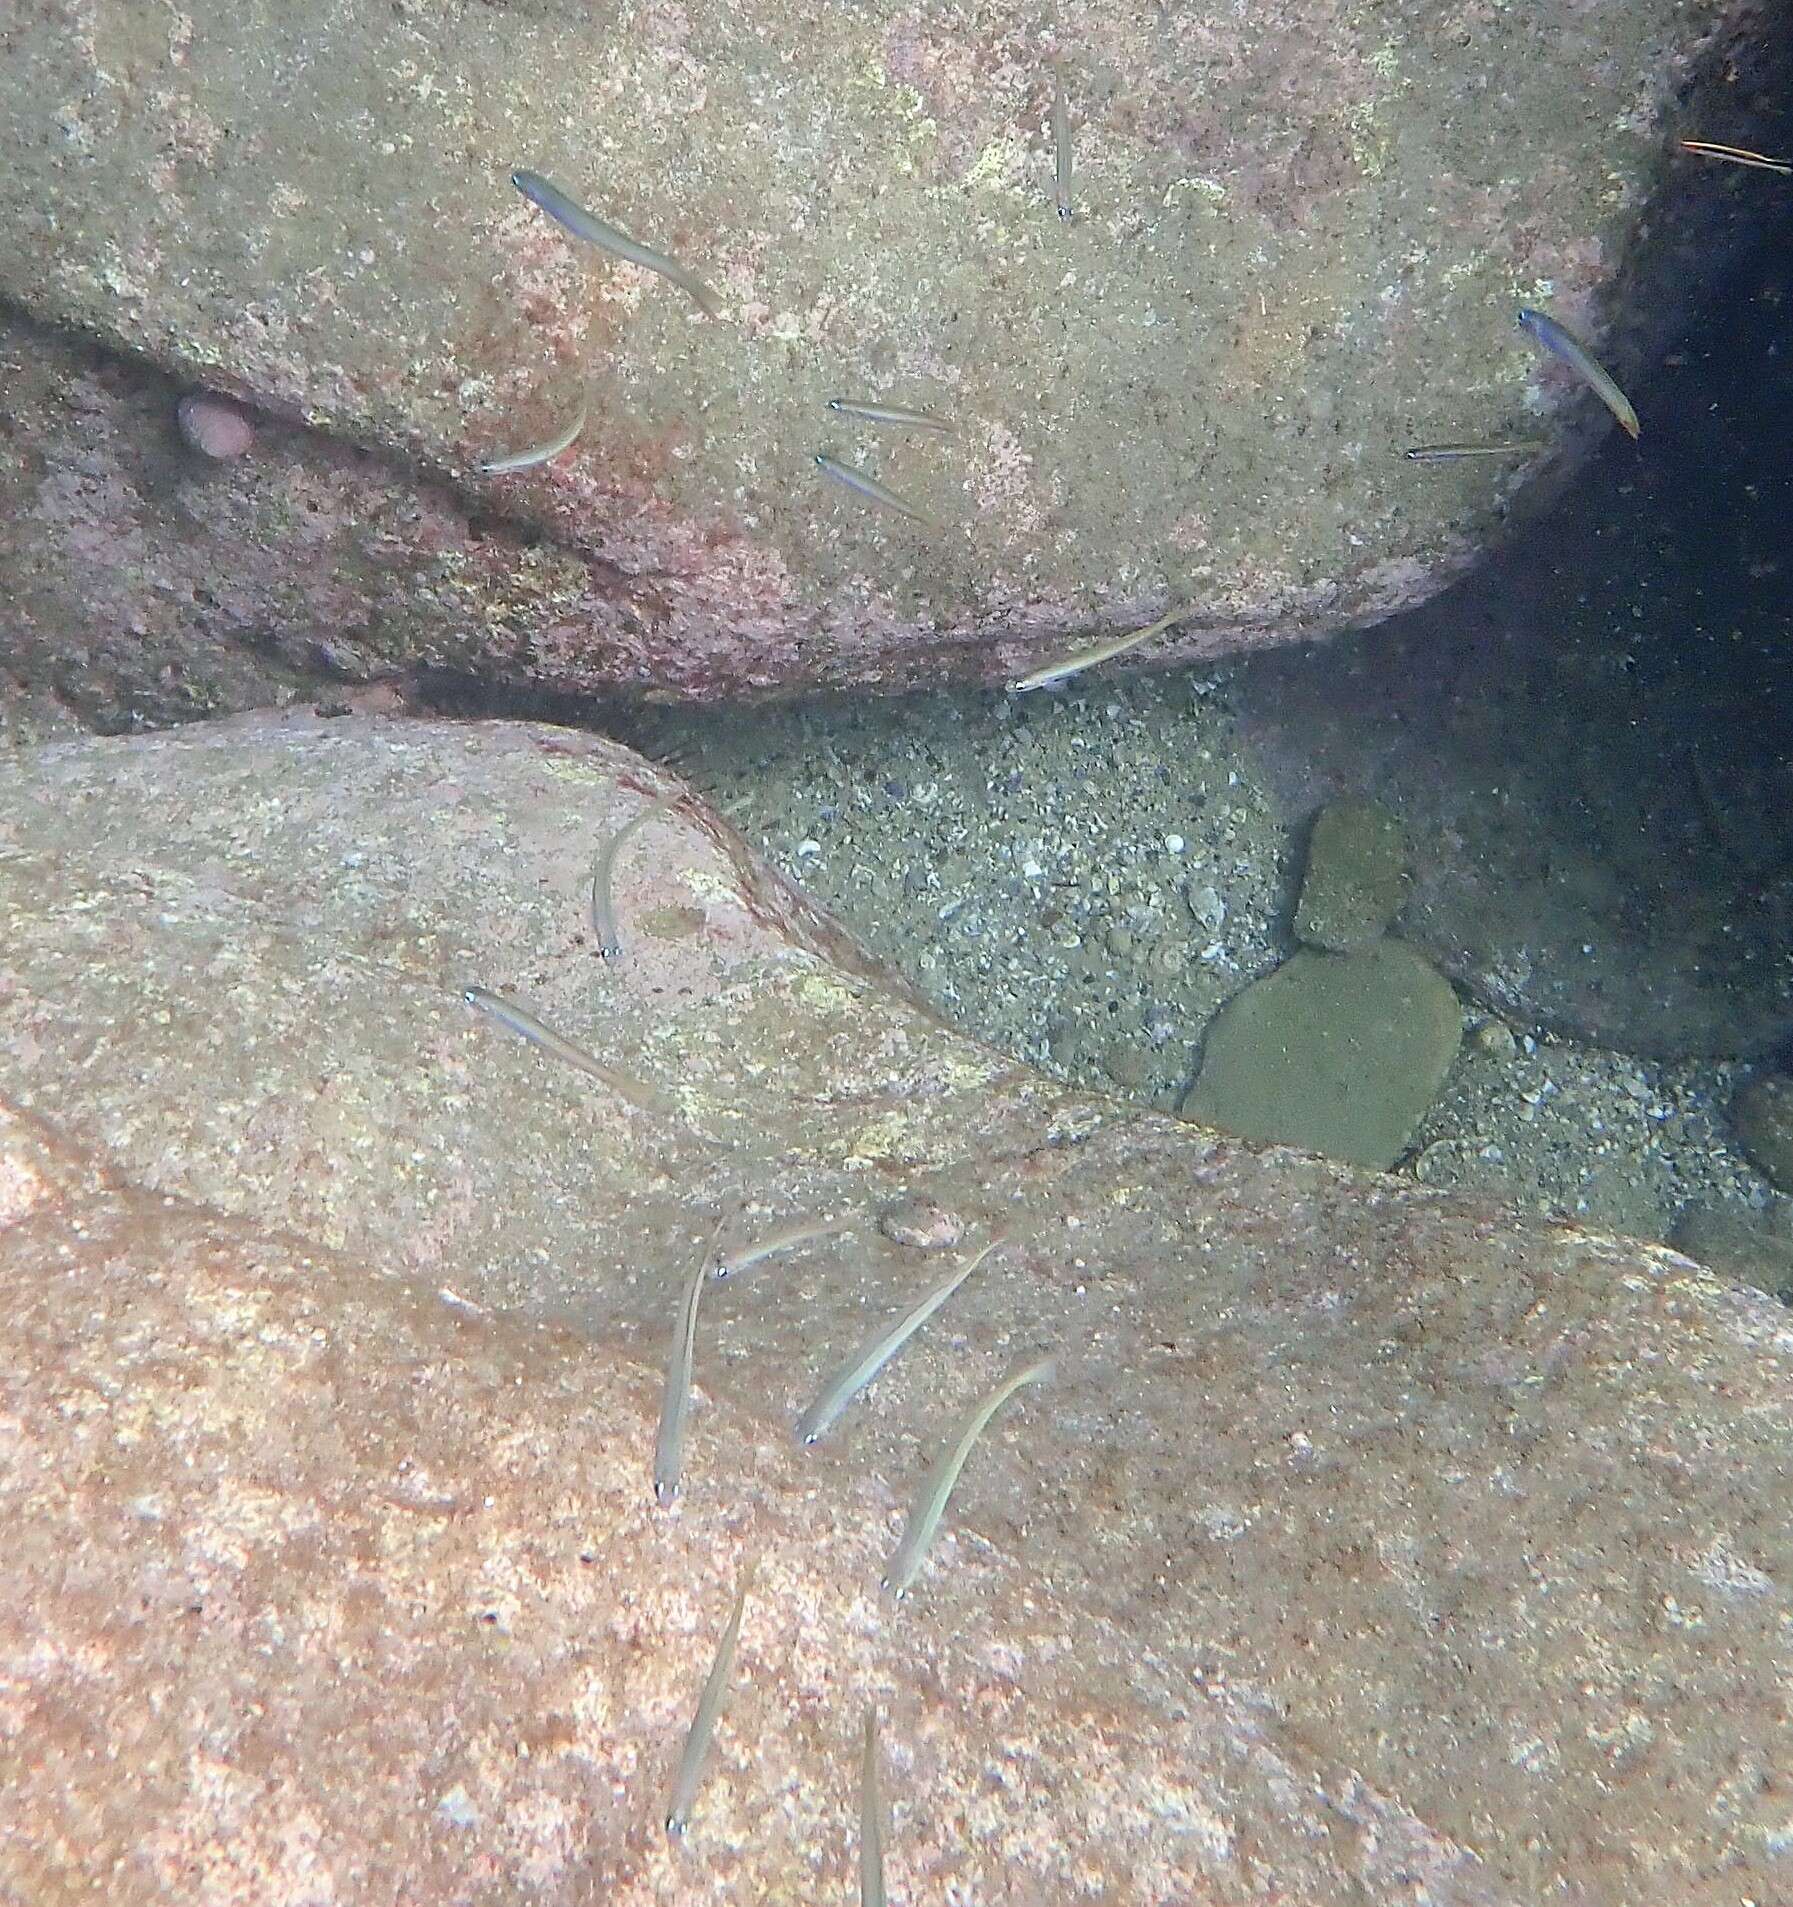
<point x="1336" y="1054"/>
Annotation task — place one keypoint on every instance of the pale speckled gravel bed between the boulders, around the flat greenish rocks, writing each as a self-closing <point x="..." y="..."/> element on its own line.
<point x="1082" y="880"/>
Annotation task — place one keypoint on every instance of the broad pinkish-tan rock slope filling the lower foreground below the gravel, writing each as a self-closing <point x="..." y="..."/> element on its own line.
<point x="1369" y="1546"/>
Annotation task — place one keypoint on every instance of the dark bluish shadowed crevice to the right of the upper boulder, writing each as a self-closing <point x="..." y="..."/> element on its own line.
<point x="1594" y="737"/>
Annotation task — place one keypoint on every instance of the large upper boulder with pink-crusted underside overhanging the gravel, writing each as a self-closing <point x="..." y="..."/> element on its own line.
<point x="1300" y="239"/>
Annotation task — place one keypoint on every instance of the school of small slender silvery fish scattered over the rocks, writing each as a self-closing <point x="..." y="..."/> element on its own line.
<point x="861" y="1370"/>
